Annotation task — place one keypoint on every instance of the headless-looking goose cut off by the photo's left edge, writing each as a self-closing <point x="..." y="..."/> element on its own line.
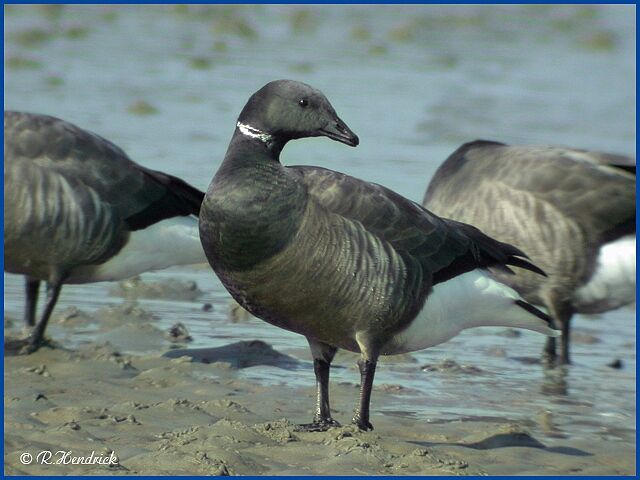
<point x="78" y="210"/>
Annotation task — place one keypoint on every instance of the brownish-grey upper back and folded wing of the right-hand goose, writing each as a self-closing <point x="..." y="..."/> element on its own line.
<point x="594" y="192"/>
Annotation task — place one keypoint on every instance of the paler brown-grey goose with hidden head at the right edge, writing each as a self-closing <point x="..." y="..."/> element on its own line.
<point x="572" y="211"/>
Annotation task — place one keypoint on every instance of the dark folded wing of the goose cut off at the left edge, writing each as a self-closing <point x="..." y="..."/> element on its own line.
<point x="140" y="195"/>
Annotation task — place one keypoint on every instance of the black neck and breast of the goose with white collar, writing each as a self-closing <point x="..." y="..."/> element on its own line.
<point x="257" y="205"/>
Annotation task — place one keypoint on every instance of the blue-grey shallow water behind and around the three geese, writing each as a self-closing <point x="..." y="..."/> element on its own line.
<point x="414" y="82"/>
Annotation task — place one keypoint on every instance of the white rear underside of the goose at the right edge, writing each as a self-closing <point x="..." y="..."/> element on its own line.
<point x="613" y="284"/>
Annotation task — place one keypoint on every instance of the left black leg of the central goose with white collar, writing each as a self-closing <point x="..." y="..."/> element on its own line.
<point x="322" y="356"/>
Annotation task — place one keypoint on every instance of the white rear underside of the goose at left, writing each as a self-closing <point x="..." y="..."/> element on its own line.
<point x="174" y="241"/>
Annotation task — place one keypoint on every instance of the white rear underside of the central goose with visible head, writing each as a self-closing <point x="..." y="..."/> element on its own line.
<point x="473" y="299"/>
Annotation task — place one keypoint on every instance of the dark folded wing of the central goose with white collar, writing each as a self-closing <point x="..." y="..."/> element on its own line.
<point x="443" y="248"/>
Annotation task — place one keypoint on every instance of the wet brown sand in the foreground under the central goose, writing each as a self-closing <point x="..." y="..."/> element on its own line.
<point x="172" y="410"/>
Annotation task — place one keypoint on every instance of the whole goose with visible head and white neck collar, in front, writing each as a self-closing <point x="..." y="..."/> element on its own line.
<point x="346" y="263"/>
